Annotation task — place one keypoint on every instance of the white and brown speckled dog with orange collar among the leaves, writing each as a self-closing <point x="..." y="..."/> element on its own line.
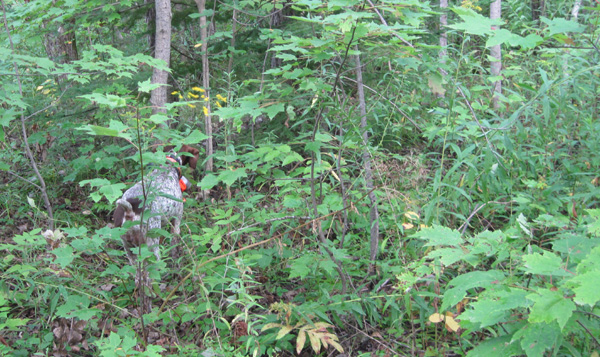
<point x="159" y="202"/>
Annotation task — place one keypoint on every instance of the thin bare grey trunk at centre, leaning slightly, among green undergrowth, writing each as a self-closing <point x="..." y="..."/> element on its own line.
<point x="374" y="214"/>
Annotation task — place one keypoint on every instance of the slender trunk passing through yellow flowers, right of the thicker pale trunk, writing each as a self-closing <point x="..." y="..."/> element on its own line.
<point x="201" y="4"/>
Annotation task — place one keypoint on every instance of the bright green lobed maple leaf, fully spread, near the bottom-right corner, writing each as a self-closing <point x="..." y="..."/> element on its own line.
<point x="549" y="306"/>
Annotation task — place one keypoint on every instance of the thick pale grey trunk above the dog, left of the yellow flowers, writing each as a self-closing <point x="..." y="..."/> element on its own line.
<point x="158" y="96"/>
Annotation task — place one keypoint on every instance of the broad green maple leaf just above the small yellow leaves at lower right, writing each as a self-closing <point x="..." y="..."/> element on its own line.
<point x="464" y="282"/>
